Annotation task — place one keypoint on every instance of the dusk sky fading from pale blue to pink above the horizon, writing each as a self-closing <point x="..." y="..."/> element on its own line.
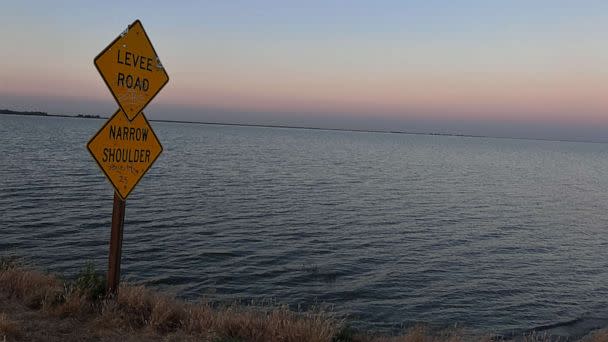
<point x="511" y="68"/>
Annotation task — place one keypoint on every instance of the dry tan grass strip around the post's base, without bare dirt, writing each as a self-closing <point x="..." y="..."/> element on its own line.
<point x="141" y="312"/>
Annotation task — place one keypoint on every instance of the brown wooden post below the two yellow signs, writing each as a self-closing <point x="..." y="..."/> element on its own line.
<point x="118" y="220"/>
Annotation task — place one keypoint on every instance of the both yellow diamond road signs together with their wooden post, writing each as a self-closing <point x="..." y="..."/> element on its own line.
<point x="126" y="146"/>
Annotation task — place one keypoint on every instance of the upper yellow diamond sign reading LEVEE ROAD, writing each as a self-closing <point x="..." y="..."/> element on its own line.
<point x="132" y="70"/>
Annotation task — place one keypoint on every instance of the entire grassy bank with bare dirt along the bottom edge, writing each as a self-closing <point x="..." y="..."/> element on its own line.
<point x="35" y="306"/>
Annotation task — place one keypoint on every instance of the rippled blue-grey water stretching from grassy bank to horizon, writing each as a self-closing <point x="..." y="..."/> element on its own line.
<point x="388" y="229"/>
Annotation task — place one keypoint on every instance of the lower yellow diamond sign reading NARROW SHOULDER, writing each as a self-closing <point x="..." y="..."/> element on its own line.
<point x="125" y="150"/>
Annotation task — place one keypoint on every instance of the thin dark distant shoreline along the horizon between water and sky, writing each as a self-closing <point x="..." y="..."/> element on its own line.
<point x="88" y="116"/>
